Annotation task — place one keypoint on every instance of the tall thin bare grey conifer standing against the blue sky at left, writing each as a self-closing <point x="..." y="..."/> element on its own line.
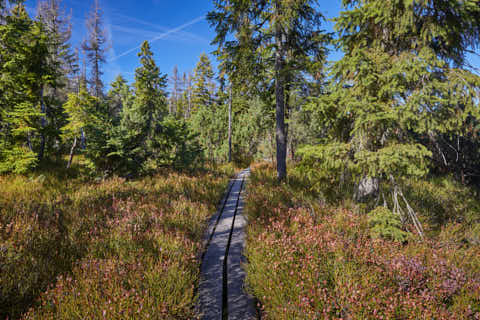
<point x="95" y="48"/>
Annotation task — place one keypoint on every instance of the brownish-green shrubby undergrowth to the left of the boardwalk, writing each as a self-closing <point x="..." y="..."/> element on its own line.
<point x="73" y="247"/>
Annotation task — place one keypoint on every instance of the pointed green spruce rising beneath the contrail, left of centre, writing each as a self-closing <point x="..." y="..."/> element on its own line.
<point x="139" y="141"/>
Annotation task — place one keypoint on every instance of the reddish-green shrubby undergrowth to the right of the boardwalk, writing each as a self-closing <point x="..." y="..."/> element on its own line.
<point x="309" y="258"/>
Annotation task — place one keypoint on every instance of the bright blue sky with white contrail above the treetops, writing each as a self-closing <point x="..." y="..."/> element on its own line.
<point x="177" y="30"/>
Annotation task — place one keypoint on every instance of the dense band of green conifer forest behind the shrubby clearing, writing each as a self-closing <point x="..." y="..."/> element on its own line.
<point x="403" y="100"/>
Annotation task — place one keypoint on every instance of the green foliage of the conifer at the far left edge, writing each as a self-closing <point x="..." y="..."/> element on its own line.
<point x="24" y="69"/>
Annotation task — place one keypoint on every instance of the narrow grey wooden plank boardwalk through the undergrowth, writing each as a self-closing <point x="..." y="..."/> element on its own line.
<point x="221" y="289"/>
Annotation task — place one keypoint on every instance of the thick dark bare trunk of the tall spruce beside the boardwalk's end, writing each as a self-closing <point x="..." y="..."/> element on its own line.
<point x="280" y="102"/>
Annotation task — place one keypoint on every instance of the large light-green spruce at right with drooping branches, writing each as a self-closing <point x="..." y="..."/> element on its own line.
<point x="401" y="78"/>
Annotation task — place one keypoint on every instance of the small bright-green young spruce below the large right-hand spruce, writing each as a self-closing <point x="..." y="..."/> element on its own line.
<point x="385" y="224"/>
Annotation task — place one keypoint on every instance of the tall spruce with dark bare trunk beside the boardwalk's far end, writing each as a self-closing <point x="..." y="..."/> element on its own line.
<point x="265" y="32"/>
